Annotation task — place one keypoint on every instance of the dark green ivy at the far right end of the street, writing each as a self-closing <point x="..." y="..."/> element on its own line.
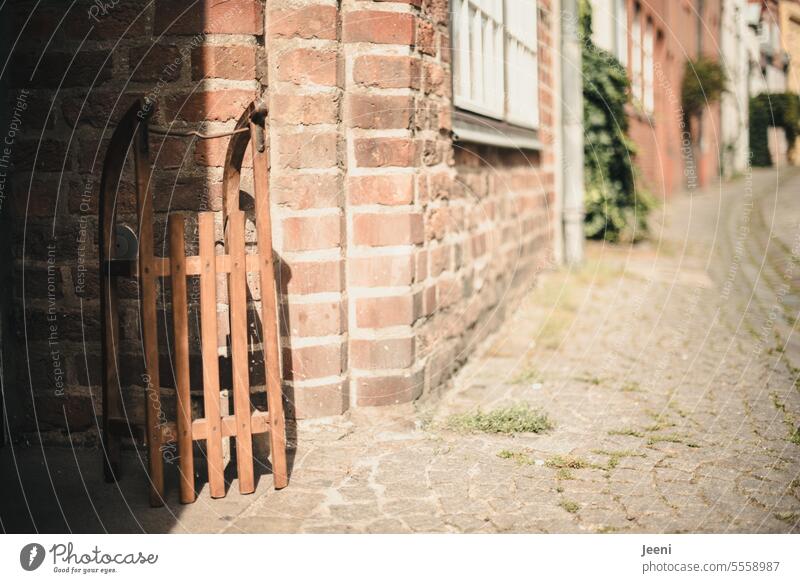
<point x="772" y="110"/>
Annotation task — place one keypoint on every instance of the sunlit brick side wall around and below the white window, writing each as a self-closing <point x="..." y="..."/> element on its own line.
<point x="489" y="229"/>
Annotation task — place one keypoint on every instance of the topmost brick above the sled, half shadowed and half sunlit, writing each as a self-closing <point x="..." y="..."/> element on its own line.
<point x="208" y="16"/>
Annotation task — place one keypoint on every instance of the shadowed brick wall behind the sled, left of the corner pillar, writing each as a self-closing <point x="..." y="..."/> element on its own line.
<point x="202" y="66"/>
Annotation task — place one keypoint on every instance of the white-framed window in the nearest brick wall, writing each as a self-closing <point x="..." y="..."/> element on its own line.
<point x="495" y="59"/>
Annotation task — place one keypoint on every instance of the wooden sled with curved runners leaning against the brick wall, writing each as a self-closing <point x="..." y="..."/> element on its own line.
<point x="122" y="254"/>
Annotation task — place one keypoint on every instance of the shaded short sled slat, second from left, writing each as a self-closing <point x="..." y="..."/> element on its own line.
<point x="180" y="321"/>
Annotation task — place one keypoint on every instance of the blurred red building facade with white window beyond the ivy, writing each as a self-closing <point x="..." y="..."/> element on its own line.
<point x="653" y="40"/>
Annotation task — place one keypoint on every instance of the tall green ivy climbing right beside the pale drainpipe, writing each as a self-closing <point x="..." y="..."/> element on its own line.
<point x="616" y="205"/>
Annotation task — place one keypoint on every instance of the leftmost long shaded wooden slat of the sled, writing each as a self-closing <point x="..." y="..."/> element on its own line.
<point x="147" y="290"/>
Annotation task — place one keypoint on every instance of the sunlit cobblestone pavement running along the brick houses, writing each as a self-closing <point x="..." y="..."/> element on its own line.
<point x="667" y="369"/>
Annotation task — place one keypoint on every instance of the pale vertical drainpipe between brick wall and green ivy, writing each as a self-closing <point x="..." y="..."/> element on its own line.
<point x="571" y="155"/>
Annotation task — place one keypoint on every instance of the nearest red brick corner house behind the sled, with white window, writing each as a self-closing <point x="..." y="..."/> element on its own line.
<point x="413" y="185"/>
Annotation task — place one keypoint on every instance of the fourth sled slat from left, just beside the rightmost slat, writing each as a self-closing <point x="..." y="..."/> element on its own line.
<point x="237" y="294"/>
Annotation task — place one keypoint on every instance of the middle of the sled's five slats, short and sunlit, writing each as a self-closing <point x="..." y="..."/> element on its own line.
<point x="208" y="330"/>
